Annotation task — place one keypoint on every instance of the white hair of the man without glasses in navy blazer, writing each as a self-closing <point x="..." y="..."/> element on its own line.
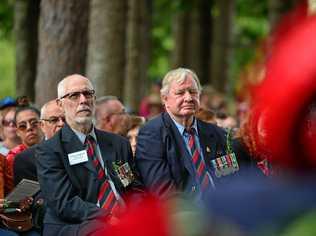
<point x="178" y="75"/>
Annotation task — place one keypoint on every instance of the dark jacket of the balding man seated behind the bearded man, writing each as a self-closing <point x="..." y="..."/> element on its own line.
<point x="24" y="166"/>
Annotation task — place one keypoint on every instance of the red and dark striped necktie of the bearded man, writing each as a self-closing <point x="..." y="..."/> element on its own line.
<point x="106" y="196"/>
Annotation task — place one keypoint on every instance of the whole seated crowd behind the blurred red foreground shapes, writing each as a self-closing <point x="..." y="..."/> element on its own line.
<point x="94" y="161"/>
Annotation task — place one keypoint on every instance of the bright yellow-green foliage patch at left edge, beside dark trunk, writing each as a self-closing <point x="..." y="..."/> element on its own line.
<point x="7" y="64"/>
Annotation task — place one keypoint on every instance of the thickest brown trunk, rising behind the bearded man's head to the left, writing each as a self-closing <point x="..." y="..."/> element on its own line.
<point x="62" y="44"/>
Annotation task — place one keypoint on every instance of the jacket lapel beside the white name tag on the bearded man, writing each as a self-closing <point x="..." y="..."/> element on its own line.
<point x="72" y="144"/>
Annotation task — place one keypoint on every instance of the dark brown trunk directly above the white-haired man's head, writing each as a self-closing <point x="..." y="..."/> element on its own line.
<point x="192" y="34"/>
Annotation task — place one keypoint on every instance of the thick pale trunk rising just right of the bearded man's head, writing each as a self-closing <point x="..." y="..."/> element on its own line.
<point x="106" y="50"/>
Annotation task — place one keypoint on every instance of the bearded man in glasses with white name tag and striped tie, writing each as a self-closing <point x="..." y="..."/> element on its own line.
<point x="79" y="169"/>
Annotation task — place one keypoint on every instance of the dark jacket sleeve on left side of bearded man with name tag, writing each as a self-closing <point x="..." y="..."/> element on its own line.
<point x="58" y="191"/>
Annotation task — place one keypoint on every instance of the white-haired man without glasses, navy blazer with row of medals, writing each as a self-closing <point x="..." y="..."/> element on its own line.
<point x="178" y="153"/>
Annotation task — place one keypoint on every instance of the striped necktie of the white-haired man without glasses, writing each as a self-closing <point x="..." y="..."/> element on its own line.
<point x="198" y="162"/>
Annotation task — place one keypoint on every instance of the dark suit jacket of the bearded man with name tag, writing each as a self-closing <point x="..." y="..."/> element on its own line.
<point x="71" y="190"/>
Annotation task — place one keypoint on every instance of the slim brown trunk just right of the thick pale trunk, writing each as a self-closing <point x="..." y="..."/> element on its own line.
<point x="133" y="65"/>
